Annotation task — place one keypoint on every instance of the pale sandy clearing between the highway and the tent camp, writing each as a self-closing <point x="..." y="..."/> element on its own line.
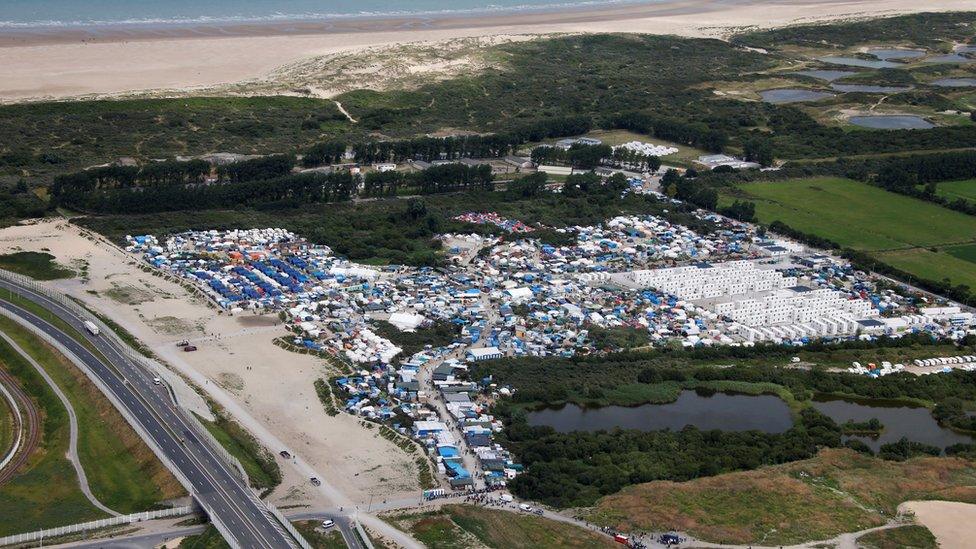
<point x="272" y="387"/>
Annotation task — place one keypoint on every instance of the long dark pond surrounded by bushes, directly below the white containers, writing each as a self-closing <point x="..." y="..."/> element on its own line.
<point x="727" y="412"/>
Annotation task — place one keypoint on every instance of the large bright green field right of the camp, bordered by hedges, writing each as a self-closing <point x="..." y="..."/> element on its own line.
<point x="898" y="229"/>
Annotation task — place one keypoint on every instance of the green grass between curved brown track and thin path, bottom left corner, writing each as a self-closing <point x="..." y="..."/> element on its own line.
<point x="45" y="493"/>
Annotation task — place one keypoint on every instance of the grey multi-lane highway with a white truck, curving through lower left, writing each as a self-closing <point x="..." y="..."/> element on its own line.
<point x="215" y="484"/>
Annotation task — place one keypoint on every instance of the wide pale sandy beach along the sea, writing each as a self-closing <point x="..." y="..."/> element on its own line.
<point x="44" y="64"/>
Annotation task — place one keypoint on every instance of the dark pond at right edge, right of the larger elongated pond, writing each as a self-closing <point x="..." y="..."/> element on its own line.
<point x="899" y="420"/>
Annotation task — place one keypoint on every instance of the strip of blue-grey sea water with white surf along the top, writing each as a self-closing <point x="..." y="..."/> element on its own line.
<point x="97" y="13"/>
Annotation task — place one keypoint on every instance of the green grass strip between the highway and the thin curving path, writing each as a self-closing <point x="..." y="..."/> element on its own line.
<point x="123" y="473"/>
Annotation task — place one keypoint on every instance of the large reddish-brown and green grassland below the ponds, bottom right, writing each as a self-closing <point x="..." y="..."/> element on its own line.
<point x="837" y="491"/>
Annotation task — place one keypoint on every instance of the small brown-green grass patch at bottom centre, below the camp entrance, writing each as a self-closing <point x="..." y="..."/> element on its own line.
<point x="464" y="526"/>
